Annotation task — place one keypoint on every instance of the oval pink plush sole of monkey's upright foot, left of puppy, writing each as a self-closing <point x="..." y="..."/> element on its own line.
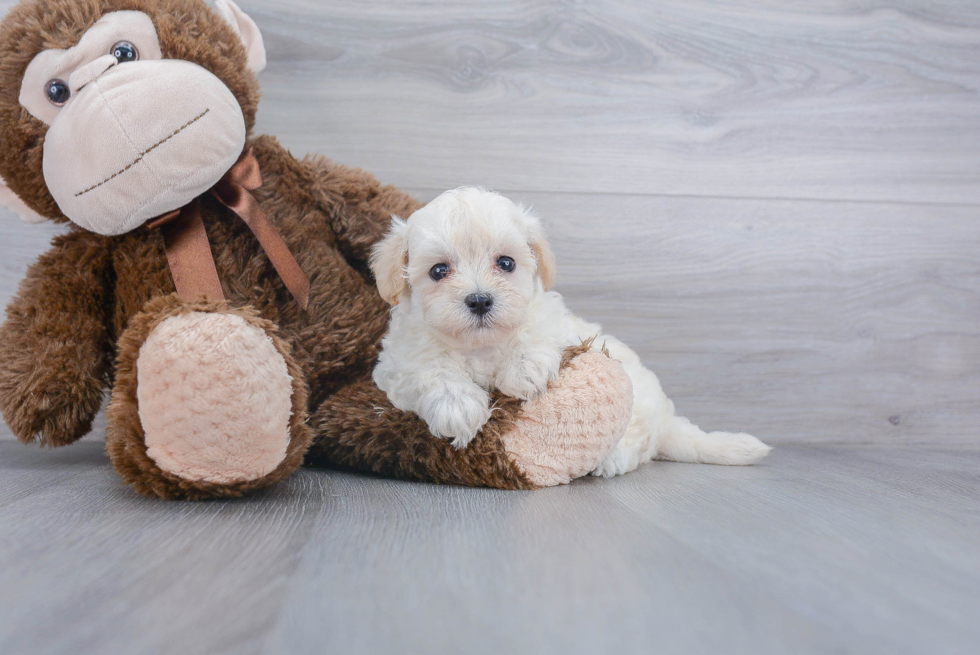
<point x="214" y="398"/>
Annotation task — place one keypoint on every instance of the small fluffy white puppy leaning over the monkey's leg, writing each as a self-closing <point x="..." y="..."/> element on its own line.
<point x="469" y="277"/>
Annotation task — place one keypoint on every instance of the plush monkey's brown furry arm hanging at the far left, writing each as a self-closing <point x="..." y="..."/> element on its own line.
<point x="55" y="349"/>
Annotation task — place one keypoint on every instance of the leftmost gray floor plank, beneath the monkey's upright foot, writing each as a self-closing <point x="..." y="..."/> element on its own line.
<point x="122" y="573"/>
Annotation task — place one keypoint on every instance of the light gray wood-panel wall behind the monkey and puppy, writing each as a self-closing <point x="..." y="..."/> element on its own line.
<point x="777" y="204"/>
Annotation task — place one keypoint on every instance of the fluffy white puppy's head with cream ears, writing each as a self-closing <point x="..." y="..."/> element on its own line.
<point x="471" y="260"/>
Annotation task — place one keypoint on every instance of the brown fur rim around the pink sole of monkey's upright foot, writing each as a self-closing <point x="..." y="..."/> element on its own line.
<point x="124" y="434"/>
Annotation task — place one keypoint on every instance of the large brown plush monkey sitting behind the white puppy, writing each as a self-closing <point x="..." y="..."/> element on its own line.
<point x="123" y="115"/>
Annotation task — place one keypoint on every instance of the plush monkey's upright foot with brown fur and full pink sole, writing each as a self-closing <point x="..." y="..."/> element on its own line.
<point x="207" y="402"/>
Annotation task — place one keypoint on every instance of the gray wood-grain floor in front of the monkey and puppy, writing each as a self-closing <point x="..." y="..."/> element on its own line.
<point x="826" y="549"/>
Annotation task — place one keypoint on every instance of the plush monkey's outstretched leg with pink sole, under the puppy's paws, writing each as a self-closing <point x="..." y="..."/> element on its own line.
<point x="561" y="435"/>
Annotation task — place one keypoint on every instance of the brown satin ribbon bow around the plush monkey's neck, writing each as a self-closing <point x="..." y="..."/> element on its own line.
<point x="189" y="252"/>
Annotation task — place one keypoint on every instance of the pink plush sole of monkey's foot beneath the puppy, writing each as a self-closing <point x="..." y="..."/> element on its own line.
<point x="566" y="432"/>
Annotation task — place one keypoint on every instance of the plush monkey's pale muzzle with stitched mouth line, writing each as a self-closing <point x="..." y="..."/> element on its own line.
<point x="138" y="140"/>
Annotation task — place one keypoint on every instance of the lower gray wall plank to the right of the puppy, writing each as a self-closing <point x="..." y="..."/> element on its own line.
<point x="796" y="321"/>
